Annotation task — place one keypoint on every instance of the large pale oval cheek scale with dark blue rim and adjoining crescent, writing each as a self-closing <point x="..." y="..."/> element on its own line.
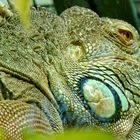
<point x="105" y="99"/>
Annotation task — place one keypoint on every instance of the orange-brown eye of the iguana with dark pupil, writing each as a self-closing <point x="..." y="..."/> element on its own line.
<point x="125" y="36"/>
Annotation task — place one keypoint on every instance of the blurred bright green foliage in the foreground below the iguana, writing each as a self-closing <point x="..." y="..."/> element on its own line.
<point x="72" y="135"/>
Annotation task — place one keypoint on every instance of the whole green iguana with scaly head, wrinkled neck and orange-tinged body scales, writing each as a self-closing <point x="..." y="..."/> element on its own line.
<point x="73" y="70"/>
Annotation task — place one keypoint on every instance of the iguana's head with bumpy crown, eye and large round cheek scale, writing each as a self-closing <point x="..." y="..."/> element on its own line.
<point x="101" y="73"/>
